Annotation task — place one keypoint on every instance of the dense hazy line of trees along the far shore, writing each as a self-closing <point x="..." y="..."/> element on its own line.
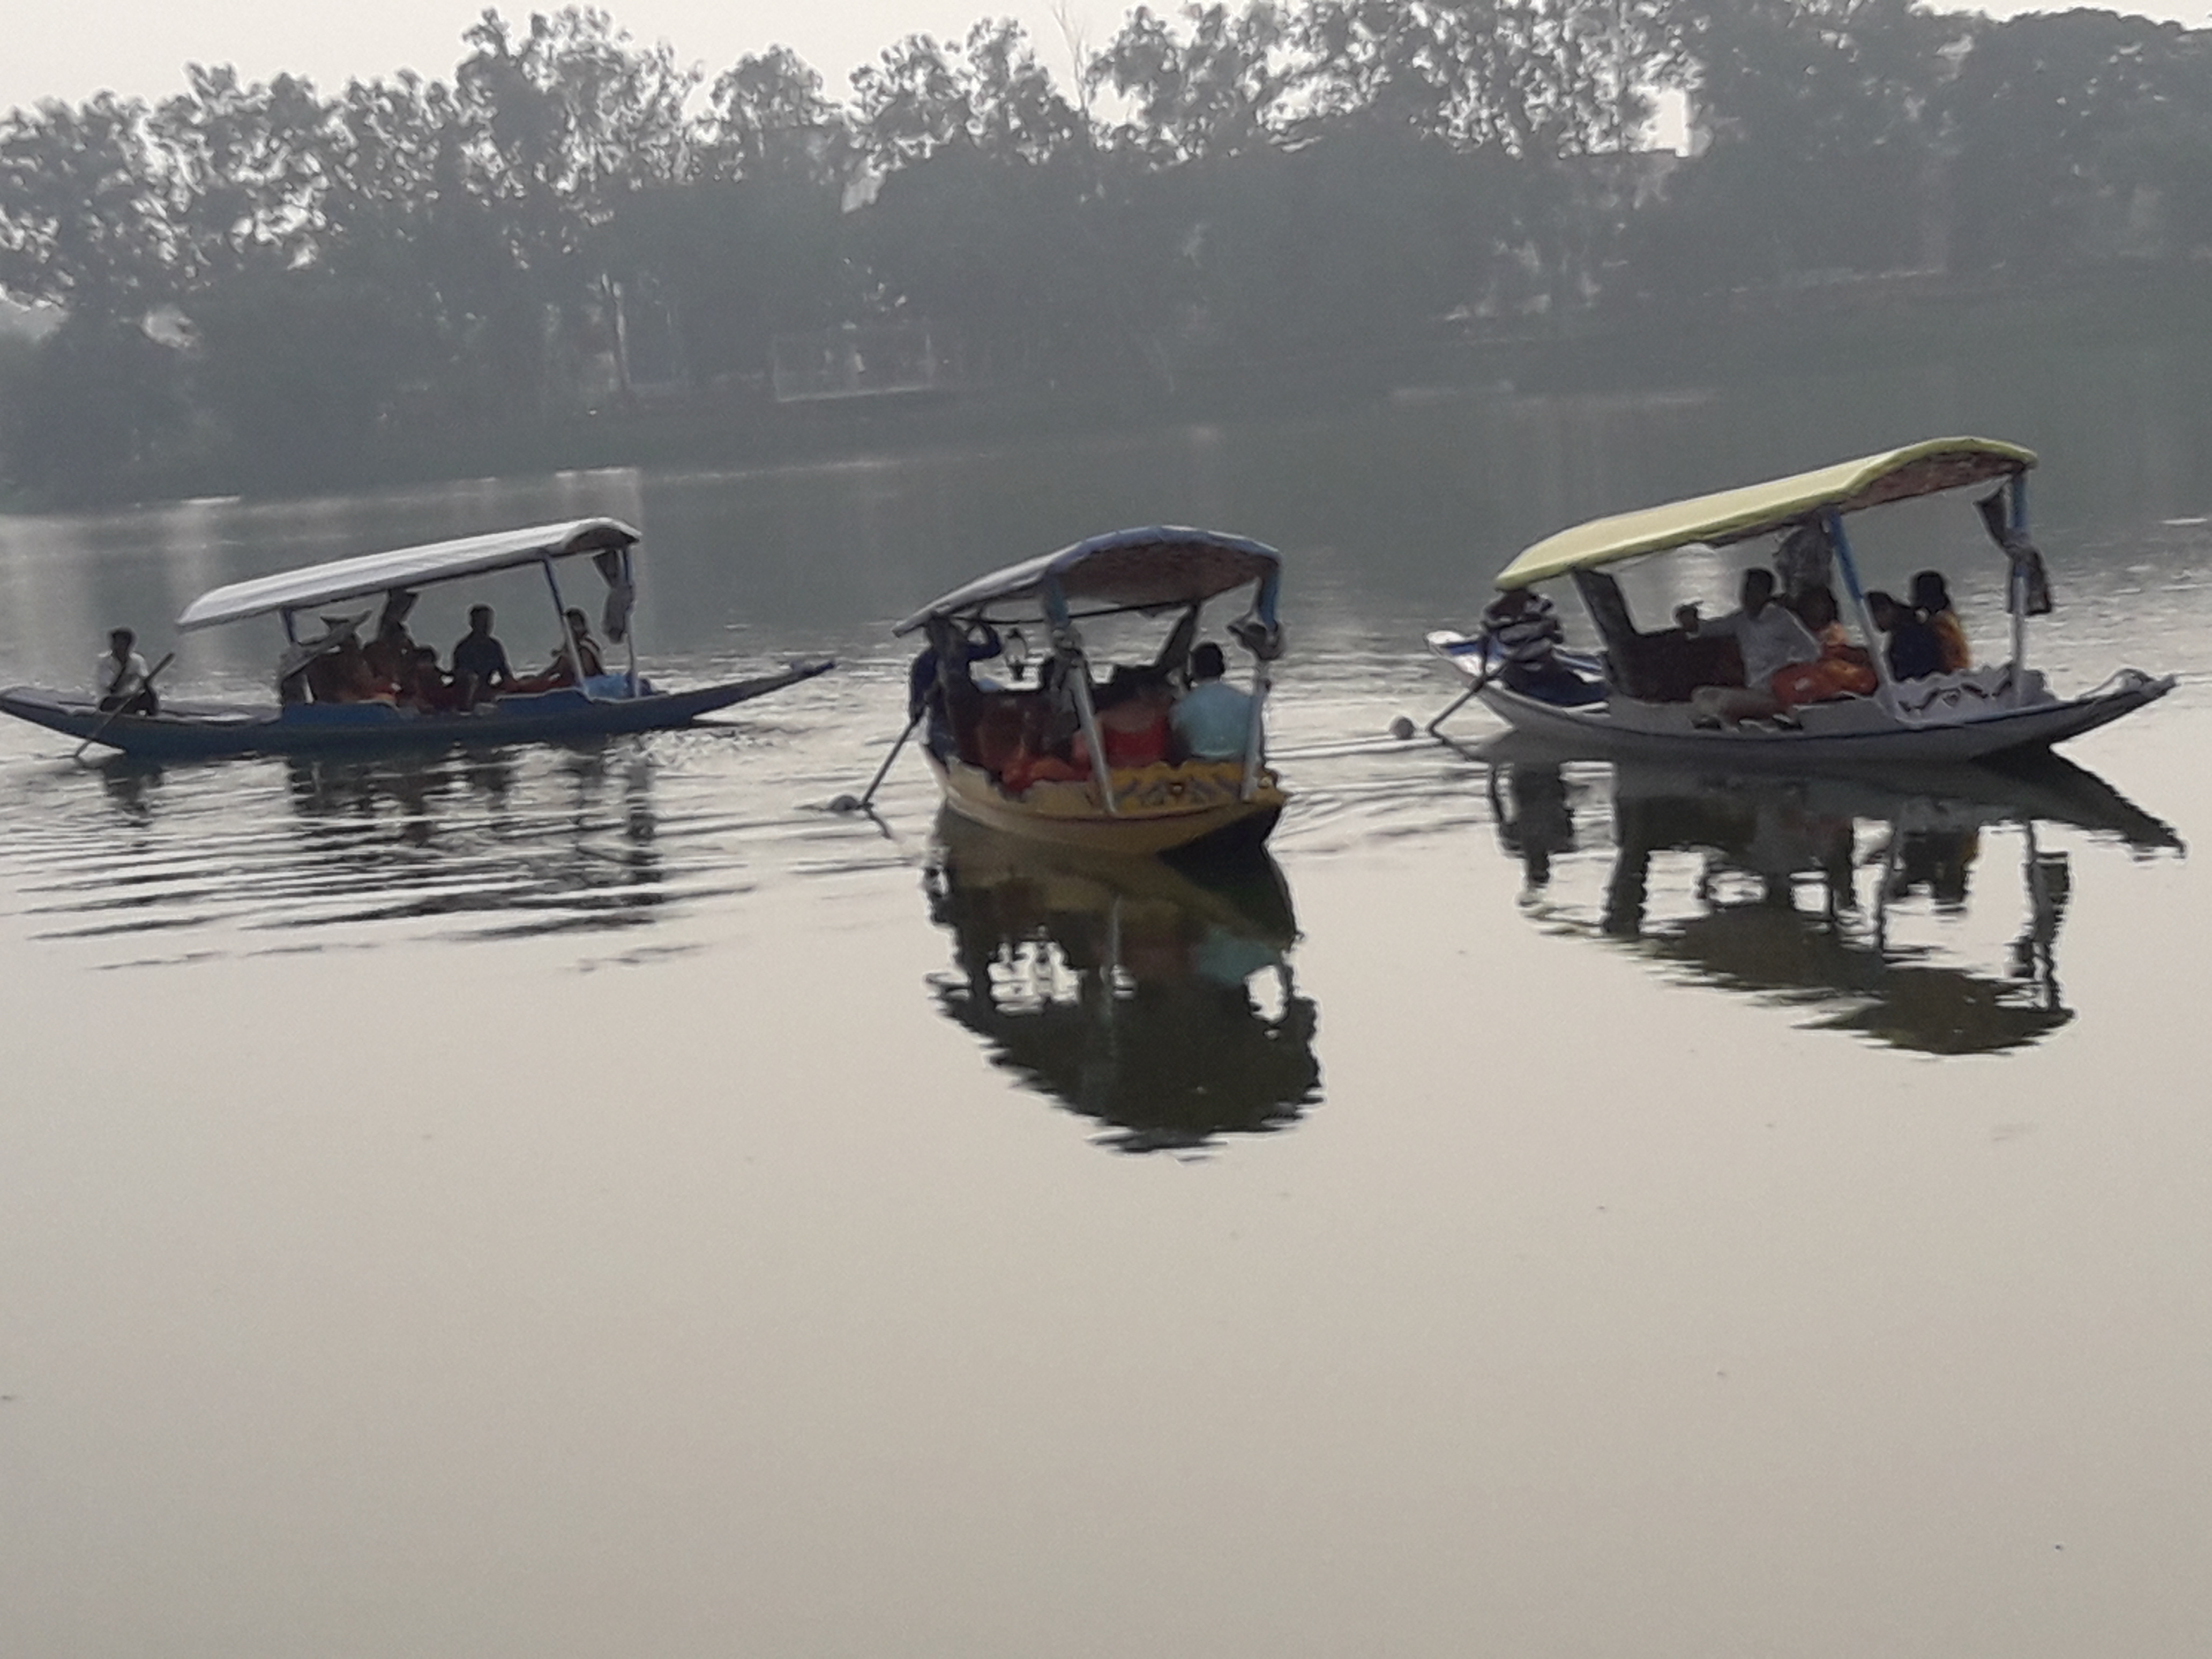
<point x="275" y="273"/>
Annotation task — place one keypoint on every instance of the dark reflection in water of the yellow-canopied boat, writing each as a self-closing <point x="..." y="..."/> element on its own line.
<point x="1846" y="895"/>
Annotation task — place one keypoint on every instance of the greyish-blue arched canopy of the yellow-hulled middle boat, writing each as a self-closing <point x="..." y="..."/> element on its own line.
<point x="1142" y="570"/>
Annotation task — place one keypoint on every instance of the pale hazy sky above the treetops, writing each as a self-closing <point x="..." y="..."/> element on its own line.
<point x="143" y="45"/>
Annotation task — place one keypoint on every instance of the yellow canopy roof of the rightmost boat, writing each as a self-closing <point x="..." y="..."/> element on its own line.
<point x="1764" y="510"/>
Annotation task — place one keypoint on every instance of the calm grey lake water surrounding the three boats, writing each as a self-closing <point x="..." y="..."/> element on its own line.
<point x="598" y="1202"/>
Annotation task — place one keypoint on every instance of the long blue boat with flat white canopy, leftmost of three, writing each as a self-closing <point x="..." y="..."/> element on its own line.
<point x="589" y="705"/>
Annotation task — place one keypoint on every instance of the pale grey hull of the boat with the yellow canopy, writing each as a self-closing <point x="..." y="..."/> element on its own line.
<point x="1857" y="731"/>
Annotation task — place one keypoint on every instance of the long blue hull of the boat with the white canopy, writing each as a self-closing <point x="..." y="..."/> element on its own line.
<point x="211" y="731"/>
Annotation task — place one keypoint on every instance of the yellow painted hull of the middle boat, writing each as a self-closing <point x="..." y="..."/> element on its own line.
<point x="1191" y="808"/>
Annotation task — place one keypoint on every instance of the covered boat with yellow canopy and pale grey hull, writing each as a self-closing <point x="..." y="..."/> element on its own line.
<point x="1638" y="693"/>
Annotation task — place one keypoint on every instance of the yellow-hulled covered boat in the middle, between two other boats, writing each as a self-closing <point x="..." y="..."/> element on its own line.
<point x="1019" y="760"/>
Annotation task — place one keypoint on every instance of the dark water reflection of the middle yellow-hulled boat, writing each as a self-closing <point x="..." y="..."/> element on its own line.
<point x="1156" y="999"/>
